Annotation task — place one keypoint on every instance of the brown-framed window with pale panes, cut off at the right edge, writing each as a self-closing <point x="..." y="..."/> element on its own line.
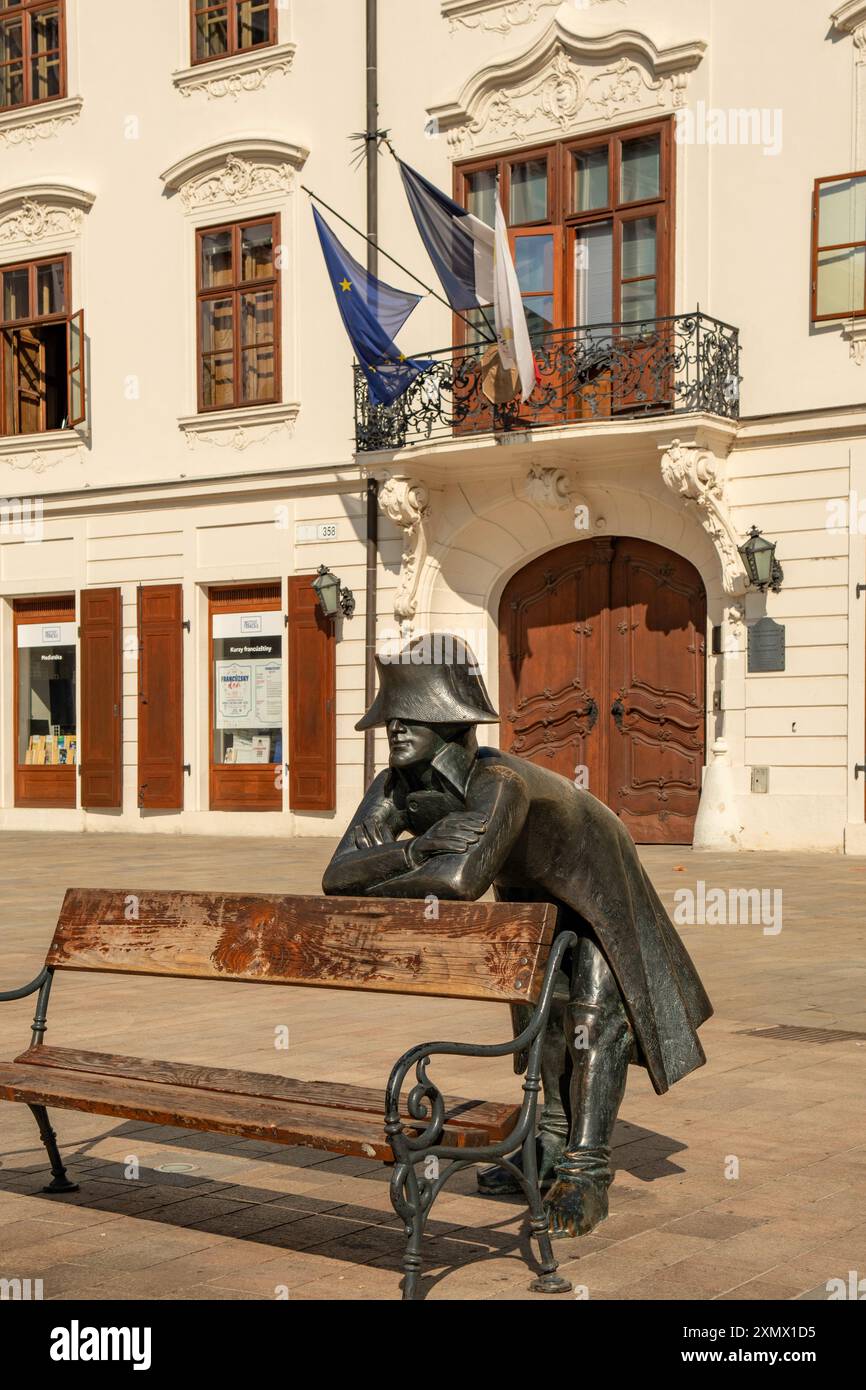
<point x="839" y="247"/>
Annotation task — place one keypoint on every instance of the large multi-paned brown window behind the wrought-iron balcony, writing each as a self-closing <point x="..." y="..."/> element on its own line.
<point x="591" y="226"/>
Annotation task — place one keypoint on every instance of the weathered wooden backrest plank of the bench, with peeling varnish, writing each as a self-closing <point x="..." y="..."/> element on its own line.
<point x="471" y="951"/>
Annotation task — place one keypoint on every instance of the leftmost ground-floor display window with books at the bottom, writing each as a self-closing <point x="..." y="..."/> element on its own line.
<point x="45" y="715"/>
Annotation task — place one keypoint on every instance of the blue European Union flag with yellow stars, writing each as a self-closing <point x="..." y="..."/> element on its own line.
<point x="372" y="313"/>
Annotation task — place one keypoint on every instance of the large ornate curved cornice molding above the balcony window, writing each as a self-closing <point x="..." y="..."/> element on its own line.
<point x="564" y="83"/>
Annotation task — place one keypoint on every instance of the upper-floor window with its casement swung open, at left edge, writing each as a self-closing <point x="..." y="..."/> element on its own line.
<point x="42" y="380"/>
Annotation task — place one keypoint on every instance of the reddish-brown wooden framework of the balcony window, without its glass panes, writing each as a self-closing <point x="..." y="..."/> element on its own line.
<point x="564" y="222"/>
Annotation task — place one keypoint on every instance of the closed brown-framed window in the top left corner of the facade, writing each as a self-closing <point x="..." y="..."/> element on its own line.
<point x="33" y="52"/>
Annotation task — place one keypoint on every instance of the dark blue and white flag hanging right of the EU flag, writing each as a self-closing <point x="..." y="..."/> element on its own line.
<point x="476" y="268"/>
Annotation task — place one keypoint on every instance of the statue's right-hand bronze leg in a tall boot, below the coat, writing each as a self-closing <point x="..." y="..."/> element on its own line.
<point x="601" y="1043"/>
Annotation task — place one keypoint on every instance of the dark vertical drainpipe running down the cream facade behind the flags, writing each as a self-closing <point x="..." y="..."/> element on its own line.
<point x="373" y="262"/>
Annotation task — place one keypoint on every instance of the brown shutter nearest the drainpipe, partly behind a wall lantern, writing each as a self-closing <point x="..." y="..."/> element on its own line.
<point x="312" y="701"/>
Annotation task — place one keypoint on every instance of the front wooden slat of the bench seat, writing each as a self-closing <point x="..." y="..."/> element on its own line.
<point x="313" y="1127"/>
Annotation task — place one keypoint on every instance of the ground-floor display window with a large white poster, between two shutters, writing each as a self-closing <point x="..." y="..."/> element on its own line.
<point x="247" y="698"/>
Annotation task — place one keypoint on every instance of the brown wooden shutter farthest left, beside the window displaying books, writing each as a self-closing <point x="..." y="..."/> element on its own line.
<point x="101" y="700"/>
